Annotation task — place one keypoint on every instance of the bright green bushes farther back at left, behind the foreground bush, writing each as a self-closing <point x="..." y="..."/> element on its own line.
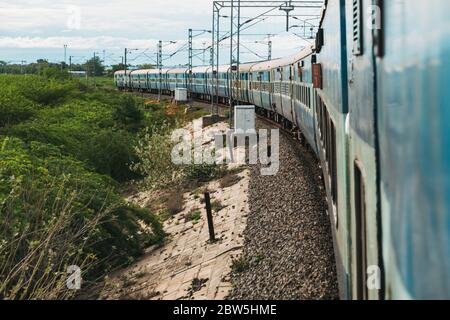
<point x="97" y="128"/>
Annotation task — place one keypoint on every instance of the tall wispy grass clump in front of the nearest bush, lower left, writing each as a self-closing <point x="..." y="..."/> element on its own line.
<point x="34" y="261"/>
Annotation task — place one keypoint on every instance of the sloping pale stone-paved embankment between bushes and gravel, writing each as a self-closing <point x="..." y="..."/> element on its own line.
<point x="189" y="266"/>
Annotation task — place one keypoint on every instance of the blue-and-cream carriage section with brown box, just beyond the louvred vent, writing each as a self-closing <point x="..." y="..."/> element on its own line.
<point x="333" y="135"/>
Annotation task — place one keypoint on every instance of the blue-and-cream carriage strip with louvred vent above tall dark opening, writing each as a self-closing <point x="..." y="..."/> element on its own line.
<point x="361" y="128"/>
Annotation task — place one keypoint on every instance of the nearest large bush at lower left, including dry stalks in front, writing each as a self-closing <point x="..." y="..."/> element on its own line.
<point x="55" y="213"/>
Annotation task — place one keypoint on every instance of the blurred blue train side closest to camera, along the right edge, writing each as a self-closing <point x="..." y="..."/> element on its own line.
<point x="413" y="67"/>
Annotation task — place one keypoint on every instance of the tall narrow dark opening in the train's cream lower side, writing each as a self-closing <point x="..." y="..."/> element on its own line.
<point x="360" y="224"/>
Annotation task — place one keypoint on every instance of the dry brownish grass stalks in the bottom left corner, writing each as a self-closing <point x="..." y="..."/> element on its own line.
<point x="36" y="270"/>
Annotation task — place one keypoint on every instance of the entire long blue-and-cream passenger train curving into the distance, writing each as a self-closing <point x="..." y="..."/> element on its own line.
<point x="371" y="99"/>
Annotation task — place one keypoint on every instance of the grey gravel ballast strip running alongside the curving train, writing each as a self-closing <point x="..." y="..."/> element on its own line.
<point x="288" y="253"/>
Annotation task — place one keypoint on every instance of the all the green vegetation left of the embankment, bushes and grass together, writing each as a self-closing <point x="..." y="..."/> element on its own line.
<point x="64" y="150"/>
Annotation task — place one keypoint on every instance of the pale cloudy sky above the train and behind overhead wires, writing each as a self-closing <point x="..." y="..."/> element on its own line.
<point x="36" y="29"/>
